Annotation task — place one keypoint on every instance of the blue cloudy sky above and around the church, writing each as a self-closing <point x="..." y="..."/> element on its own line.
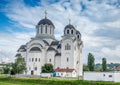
<point x="97" y="20"/>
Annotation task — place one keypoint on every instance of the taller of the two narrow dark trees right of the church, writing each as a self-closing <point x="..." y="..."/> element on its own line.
<point x="91" y="62"/>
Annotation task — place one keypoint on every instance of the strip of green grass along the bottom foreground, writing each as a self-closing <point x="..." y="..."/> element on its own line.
<point x="46" y="81"/>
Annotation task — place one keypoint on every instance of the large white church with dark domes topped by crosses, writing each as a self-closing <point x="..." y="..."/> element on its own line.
<point x="65" y="55"/>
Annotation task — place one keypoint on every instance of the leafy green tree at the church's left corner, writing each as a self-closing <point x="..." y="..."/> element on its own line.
<point x="19" y="66"/>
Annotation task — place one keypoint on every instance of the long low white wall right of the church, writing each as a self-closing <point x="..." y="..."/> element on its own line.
<point x="102" y="76"/>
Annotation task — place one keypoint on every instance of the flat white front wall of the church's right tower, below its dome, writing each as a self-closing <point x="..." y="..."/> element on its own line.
<point x="67" y="54"/>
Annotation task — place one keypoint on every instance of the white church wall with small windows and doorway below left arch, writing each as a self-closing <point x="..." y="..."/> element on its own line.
<point x="34" y="60"/>
